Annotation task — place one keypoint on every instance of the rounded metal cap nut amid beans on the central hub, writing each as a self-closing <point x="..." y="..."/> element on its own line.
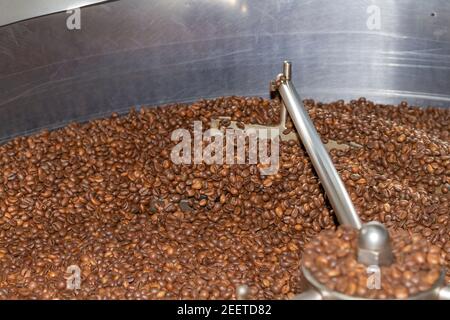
<point x="374" y="245"/>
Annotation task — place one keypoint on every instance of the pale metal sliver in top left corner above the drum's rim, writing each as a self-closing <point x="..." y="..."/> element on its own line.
<point x="17" y="10"/>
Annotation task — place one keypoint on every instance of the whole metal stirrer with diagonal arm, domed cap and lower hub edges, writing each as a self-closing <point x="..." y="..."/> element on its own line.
<point x="374" y="246"/>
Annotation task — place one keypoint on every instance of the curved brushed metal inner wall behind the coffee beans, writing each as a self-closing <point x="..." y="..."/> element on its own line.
<point x="138" y="52"/>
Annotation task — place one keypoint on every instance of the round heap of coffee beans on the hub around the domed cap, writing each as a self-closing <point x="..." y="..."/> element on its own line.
<point x="331" y="259"/>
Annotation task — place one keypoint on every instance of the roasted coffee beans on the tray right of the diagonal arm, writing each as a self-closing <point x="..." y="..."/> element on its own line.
<point x="398" y="168"/>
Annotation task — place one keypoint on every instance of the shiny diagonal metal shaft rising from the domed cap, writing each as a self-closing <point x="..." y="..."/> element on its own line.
<point x="329" y="177"/>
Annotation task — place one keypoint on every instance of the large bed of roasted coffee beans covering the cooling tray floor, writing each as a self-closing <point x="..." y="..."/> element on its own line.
<point x="104" y="198"/>
